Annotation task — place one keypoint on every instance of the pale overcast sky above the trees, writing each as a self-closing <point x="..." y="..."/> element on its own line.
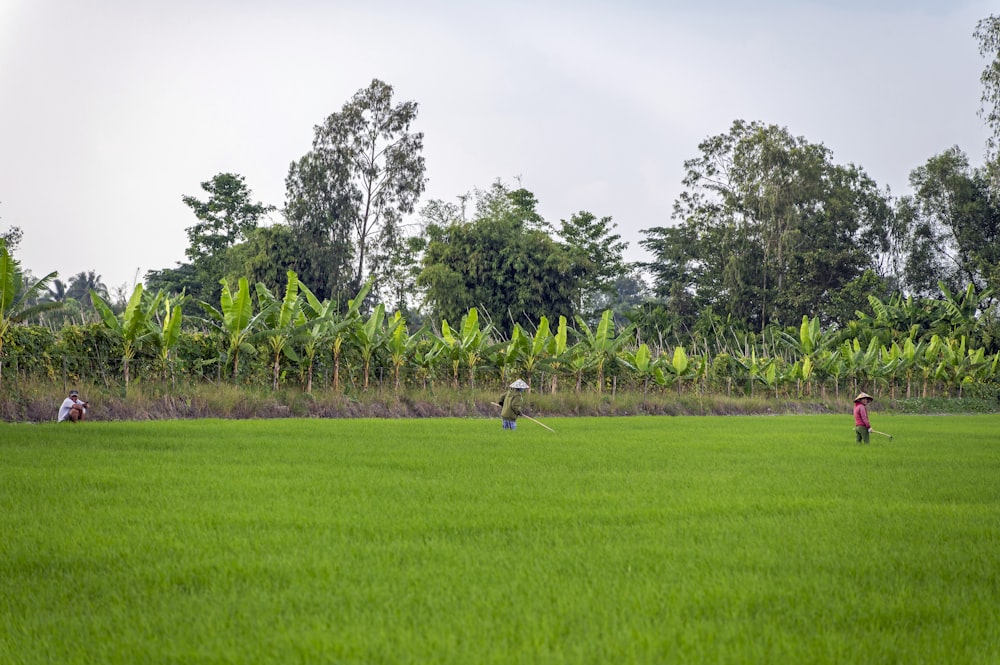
<point x="112" y="110"/>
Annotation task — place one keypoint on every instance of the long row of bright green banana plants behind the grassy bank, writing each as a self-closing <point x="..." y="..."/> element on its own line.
<point x="255" y="337"/>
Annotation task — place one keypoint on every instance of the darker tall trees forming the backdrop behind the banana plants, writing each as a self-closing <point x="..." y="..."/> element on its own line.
<point x="768" y="229"/>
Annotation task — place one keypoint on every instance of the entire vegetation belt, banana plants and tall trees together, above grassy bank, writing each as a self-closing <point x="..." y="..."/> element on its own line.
<point x="772" y="244"/>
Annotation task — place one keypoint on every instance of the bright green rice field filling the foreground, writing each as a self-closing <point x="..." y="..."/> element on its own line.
<point x="625" y="540"/>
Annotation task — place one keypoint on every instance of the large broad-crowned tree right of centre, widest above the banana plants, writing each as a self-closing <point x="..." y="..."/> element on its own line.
<point x="769" y="227"/>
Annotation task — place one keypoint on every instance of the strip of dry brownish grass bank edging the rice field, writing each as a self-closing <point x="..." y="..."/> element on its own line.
<point x="39" y="403"/>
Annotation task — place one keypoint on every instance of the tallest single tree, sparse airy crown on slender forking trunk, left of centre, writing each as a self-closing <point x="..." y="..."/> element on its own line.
<point x="378" y="161"/>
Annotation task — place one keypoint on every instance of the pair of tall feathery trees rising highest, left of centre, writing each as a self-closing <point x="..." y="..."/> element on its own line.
<point x="347" y="197"/>
